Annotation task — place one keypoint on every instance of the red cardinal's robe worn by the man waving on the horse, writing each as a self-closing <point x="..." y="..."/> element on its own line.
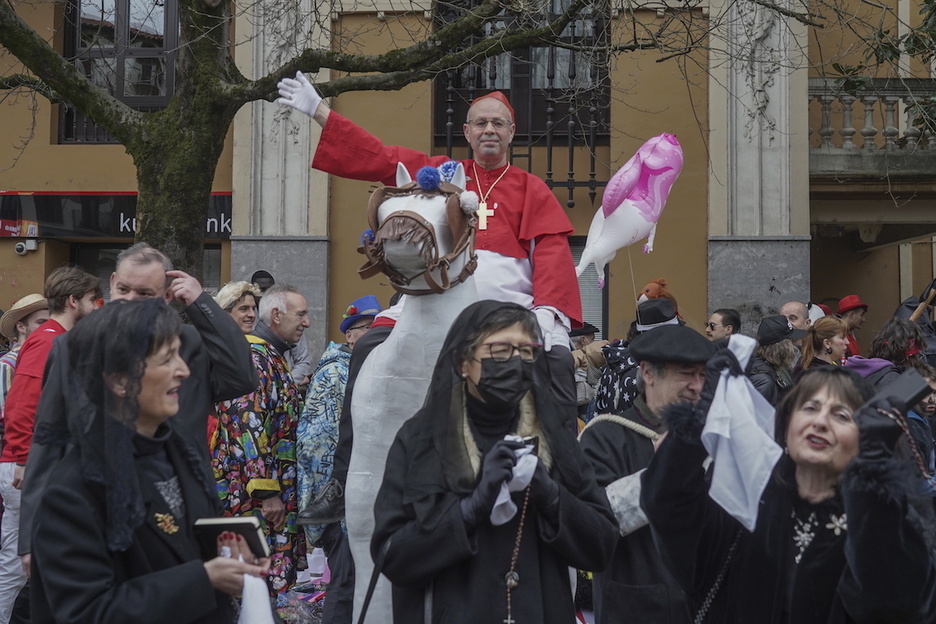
<point x="526" y="217"/>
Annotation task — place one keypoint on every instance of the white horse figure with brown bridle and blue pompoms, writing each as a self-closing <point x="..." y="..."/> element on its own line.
<point x="392" y="383"/>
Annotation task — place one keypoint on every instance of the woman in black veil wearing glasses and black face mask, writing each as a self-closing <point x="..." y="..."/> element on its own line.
<point x="447" y="560"/>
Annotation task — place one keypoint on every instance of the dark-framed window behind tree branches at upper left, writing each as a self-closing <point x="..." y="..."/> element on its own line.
<point x="126" y="47"/>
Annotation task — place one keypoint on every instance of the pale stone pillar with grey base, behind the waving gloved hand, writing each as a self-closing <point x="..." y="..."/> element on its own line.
<point x="280" y="205"/>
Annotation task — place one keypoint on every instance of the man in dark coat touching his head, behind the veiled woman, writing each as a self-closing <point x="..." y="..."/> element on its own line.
<point x="213" y="347"/>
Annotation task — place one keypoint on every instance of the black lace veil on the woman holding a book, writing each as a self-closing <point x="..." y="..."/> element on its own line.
<point x="109" y="345"/>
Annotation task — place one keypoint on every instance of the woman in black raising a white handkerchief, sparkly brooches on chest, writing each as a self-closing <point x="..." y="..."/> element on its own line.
<point x="842" y="535"/>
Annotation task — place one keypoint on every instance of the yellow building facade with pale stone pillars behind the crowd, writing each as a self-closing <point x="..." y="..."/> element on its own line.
<point x="765" y="211"/>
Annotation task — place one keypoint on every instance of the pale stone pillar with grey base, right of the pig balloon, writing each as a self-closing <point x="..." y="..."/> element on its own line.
<point x="759" y="183"/>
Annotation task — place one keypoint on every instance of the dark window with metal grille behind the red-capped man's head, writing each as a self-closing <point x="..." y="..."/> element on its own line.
<point x="557" y="92"/>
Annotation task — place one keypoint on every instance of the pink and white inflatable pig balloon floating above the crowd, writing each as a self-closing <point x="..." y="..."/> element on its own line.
<point x="633" y="202"/>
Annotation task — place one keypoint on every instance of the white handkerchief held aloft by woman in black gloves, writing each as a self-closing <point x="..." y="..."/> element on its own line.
<point x="738" y="434"/>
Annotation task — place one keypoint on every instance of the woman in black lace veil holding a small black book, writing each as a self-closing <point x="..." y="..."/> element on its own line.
<point x="114" y="541"/>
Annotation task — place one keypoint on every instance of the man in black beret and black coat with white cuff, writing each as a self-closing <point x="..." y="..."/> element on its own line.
<point x="636" y="585"/>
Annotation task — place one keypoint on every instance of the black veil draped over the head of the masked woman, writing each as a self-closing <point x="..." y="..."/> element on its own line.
<point x="444" y="403"/>
